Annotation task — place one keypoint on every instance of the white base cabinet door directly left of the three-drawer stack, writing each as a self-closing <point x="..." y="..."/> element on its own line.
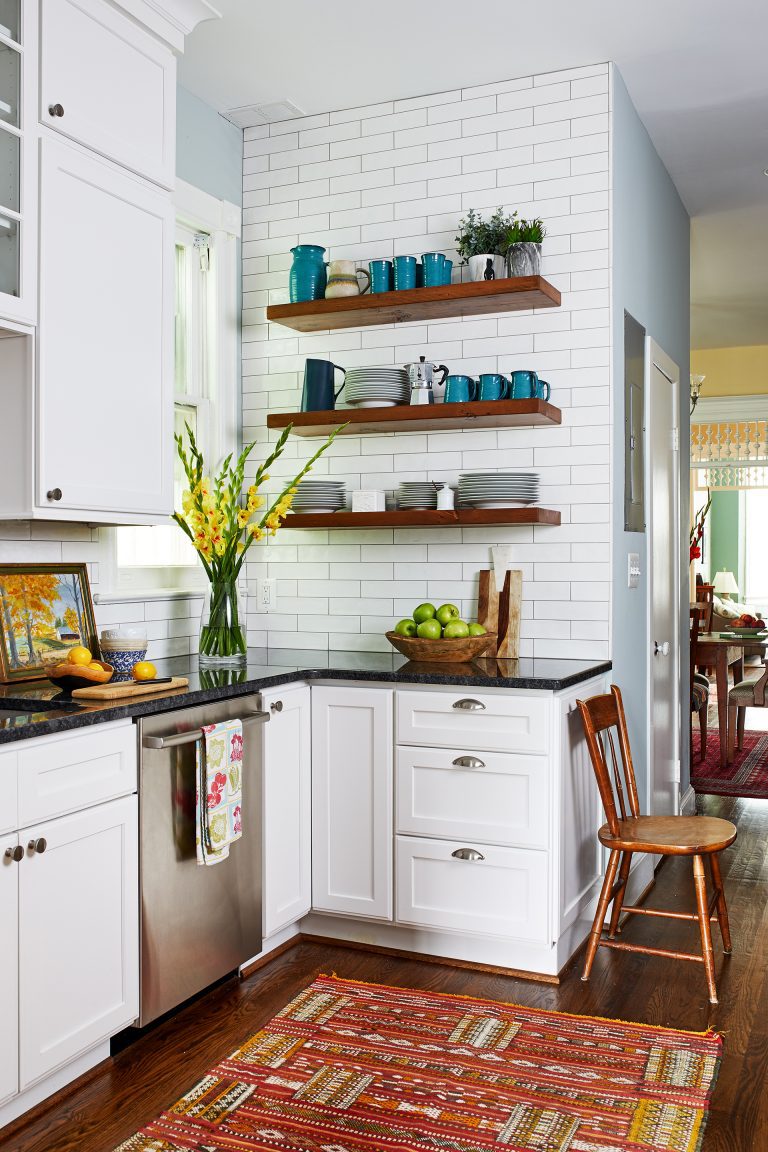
<point x="353" y="801"/>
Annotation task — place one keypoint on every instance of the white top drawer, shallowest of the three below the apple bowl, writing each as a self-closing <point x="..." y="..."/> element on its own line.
<point x="470" y="719"/>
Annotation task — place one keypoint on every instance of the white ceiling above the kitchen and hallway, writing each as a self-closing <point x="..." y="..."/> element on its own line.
<point x="696" y="71"/>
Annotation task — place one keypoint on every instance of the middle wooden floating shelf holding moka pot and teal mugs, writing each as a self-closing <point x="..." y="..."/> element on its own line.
<point x="483" y="414"/>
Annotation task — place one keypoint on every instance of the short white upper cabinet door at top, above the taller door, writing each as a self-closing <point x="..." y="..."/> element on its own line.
<point x="109" y="85"/>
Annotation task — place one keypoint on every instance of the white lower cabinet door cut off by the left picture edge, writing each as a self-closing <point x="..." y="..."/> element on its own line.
<point x="9" y="969"/>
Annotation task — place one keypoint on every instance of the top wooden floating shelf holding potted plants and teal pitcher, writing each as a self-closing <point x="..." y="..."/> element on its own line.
<point x="470" y="299"/>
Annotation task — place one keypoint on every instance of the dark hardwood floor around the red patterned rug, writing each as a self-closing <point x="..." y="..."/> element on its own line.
<point x="123" y="1095"/>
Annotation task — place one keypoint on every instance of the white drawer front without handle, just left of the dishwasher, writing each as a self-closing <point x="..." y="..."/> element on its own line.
<point x="59" y="775"/>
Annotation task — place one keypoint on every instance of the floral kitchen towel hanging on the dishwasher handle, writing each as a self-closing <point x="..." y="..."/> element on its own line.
<point x="219" y="791"/>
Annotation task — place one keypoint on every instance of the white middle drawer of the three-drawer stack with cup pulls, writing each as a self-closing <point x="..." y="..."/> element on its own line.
<point x="457" y="793"/>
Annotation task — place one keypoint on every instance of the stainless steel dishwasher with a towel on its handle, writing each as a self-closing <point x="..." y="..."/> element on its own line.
<point x="199" y="922"/>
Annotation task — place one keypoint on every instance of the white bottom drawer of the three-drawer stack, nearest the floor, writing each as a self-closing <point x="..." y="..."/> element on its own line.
<point x="505" y="895"/>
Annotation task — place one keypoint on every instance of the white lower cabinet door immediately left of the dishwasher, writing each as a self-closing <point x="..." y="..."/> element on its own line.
<point x="79" y="935"/>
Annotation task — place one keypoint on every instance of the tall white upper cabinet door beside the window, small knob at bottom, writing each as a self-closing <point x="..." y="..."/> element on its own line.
<point x="105" y="404"/>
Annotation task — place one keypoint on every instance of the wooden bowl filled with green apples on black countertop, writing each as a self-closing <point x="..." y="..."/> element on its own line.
<point x="439" y="635"/>
